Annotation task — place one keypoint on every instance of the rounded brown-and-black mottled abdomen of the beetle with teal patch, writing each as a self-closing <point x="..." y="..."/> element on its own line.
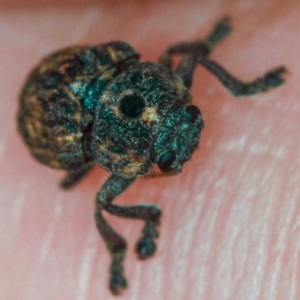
<point x="59" y="98"/>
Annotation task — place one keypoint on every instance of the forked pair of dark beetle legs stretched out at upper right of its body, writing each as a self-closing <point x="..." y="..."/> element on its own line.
<point x="198" y="52"/>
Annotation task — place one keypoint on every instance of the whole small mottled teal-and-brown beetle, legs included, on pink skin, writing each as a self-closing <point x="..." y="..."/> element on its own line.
<point x="99" y="105"/>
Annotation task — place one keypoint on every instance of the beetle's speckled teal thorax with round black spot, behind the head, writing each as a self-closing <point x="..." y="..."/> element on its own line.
<point x="130" y="113"/>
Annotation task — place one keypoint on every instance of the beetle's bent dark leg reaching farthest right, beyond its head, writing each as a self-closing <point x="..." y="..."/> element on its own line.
<point x="271" y="79"/>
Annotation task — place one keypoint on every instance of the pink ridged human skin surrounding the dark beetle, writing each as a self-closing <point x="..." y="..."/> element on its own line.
<point x="230" y="225"/>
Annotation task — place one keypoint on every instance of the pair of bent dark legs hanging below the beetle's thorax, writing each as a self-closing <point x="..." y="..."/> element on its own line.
<point x="116" y="245"/>
